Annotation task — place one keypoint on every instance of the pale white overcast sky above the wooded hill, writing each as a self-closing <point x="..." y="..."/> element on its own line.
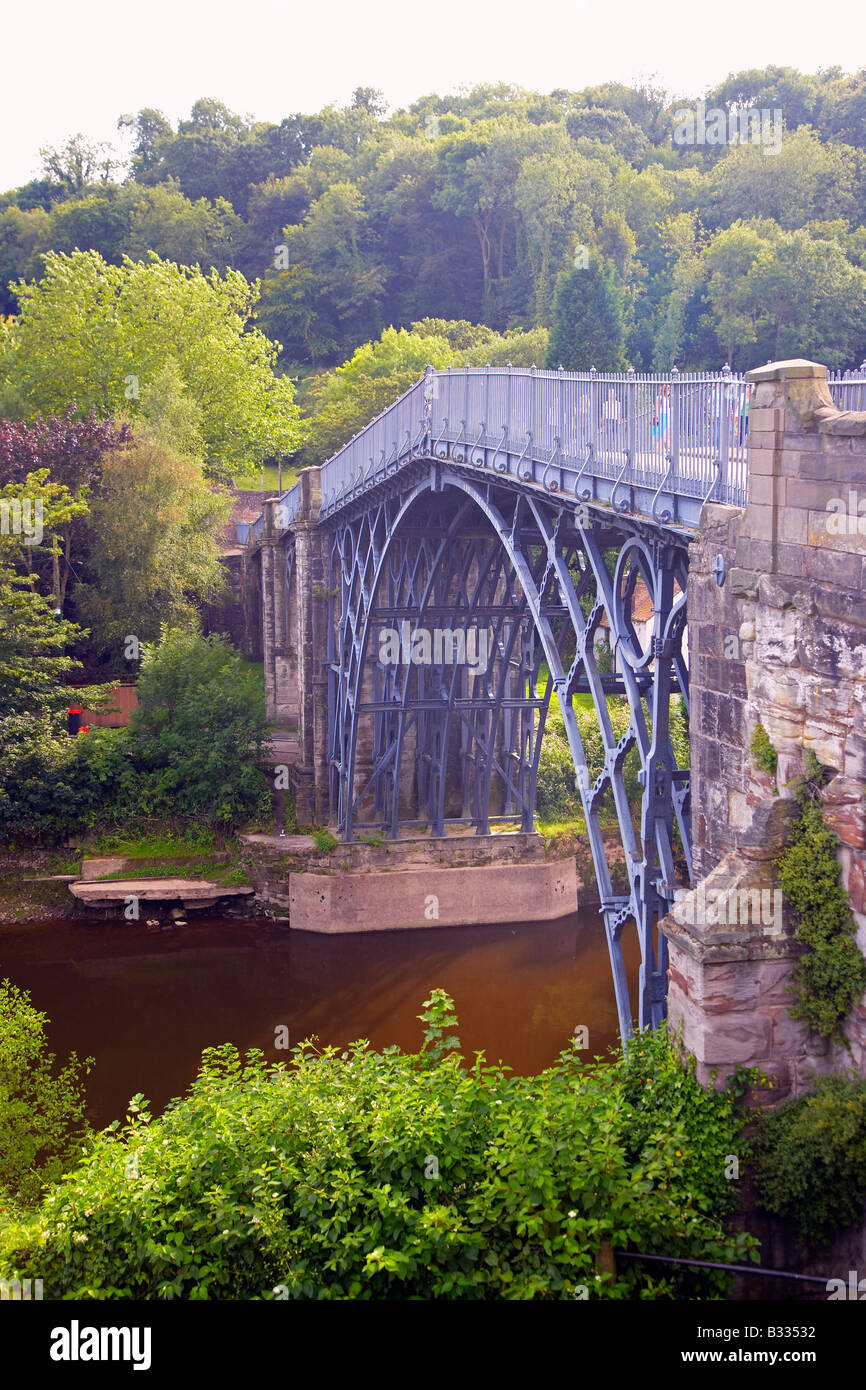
<point x="79" y="66"/>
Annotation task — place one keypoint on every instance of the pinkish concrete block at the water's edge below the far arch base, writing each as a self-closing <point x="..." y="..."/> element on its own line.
<point x="401" y="900"/>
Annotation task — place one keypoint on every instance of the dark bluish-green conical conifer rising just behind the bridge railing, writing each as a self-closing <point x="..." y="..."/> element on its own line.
<point x="589" y="327"/>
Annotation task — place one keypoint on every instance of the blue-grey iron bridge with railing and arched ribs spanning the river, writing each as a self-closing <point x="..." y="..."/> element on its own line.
<point x="504" y="541"/>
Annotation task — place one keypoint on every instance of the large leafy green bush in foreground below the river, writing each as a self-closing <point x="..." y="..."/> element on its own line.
<point x="390" y="1177"/>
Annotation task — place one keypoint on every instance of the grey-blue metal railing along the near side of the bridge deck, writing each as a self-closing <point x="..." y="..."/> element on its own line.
<point x="680" y="433"/>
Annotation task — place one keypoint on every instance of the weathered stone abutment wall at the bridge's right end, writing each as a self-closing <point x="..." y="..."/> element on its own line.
<point x="781" y="643"/>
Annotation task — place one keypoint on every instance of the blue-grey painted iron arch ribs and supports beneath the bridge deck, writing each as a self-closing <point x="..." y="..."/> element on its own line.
<point x="439" y="743"/>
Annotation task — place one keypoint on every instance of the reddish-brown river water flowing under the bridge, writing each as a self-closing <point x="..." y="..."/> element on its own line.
<point x="147" y="1004"/>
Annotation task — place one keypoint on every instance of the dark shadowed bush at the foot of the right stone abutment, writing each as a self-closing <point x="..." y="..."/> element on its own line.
<point x="812" y="1159"/>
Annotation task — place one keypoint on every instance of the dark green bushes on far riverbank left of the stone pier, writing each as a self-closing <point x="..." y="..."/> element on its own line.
<point x="187" y="765"/>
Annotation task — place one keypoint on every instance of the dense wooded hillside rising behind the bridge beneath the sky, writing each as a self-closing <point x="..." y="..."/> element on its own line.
<point x="473" y="205"/>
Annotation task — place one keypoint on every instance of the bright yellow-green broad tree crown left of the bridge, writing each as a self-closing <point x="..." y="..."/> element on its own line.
<point x="104" y="336"/>
